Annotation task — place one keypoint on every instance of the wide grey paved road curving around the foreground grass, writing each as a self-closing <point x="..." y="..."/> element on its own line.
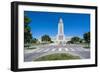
<point x="30" y="55"/>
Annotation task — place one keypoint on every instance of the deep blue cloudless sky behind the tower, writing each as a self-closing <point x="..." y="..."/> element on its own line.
<point x="42" y="23"/>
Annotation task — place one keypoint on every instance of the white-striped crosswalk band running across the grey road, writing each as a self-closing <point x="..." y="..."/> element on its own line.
<point x="60" y="50"/>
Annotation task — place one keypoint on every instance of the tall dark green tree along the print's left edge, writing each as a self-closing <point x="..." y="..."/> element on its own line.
<point x="27" y="30"/>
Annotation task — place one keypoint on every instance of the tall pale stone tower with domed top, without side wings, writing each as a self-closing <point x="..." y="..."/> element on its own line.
<point x="60" y="35"/>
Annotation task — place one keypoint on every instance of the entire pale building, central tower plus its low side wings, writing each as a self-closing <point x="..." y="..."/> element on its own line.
<point x="60" y="38"/>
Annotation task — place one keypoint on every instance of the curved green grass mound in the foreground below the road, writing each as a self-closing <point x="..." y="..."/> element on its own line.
<point x="58" y="56"/>
